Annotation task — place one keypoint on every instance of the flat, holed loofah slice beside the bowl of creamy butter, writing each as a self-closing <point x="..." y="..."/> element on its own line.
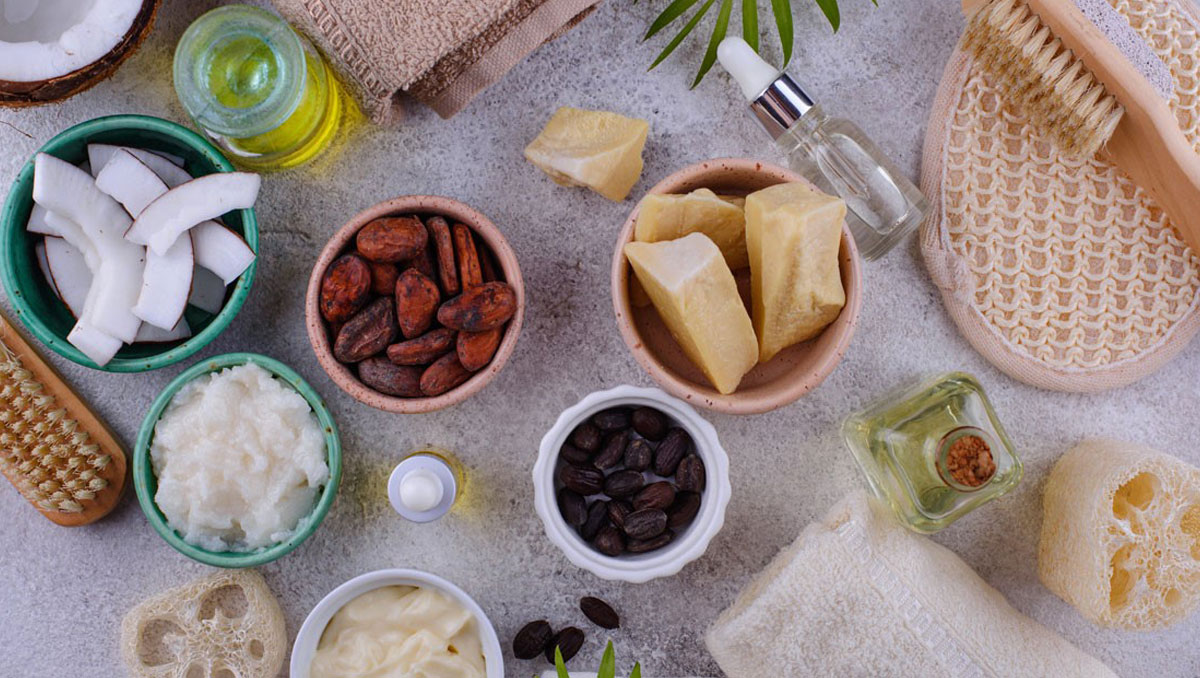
<point x="225" y="626"/>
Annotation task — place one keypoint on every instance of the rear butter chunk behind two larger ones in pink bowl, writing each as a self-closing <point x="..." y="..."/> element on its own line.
<point x="668" y="218"/>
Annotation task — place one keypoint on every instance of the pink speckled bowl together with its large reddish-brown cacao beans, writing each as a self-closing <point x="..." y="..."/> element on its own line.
<point x="344" y="259"/>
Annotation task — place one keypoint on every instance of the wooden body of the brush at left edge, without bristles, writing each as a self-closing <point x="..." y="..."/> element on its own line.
<point x="52" y="385"/>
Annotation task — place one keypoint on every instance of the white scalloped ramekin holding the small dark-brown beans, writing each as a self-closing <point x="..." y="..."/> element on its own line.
<point x="689" y="543"/>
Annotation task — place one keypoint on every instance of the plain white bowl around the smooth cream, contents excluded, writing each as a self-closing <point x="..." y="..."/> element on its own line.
<point x="309" y="638"/>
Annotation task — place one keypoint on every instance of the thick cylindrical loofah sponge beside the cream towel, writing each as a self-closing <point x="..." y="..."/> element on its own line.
<point x="1121" y="535"/>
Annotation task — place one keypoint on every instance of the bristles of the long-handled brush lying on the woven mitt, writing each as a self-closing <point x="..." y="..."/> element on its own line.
<point x="1033" y="68"/>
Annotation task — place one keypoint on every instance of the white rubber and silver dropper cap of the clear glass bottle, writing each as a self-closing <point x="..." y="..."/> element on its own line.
<point x="776" y="99"/>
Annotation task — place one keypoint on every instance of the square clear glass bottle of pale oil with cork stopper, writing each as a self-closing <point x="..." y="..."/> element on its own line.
<point x="934" y="451"/>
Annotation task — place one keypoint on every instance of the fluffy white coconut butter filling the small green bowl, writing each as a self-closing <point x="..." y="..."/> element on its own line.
<point x="239" y="458"/>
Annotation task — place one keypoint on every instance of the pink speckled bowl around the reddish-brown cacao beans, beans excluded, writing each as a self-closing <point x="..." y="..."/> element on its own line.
<point x="424" y="206"/>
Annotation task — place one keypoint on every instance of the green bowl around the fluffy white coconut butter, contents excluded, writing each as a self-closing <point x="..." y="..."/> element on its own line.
<point x="147" y="485"/>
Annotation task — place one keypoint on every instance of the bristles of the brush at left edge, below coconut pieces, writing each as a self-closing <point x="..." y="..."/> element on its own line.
<point x="51" y="461"/>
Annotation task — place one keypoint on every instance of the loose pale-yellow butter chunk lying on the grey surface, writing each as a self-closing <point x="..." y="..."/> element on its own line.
<point x="597" y="149"/>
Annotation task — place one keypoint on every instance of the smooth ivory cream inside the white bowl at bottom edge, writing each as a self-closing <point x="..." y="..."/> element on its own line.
<point x="401" y="632"/>
